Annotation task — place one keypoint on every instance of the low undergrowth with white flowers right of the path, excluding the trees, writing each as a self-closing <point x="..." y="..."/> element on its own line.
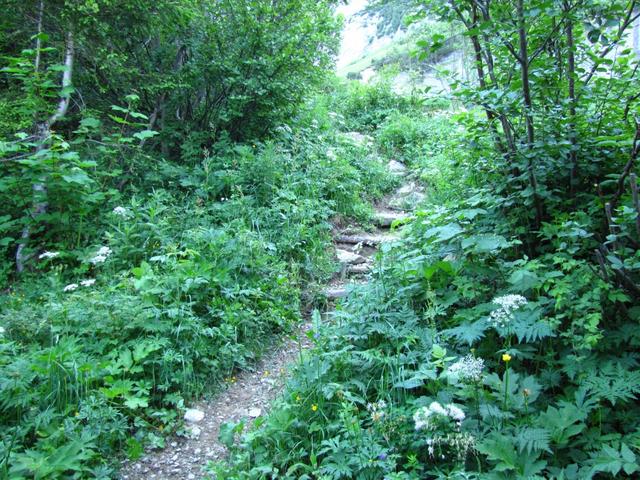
<point x="464" y="357"/>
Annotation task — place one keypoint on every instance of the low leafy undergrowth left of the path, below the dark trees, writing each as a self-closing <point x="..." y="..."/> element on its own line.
<point x="180" y="283"/>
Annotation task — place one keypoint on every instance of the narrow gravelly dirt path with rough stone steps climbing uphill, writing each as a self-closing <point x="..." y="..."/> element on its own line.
<point x="250" y="394"/>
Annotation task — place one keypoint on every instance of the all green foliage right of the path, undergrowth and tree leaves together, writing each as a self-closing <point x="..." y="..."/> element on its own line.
<point x="478" y="307"/>
